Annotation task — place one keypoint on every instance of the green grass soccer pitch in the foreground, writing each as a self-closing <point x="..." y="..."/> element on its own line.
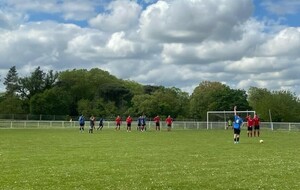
<point x="183" y="159"/>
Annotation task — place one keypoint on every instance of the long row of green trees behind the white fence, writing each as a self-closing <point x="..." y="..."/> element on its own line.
<point x="97" y="92"/>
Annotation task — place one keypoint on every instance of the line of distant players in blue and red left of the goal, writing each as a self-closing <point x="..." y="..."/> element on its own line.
<point x="141" y="123"/>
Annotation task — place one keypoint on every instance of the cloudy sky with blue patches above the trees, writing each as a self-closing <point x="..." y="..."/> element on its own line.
<point x="174" y="43"/>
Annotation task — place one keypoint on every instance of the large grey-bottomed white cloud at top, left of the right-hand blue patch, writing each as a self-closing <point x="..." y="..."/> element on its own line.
<point x="194" y="20"/>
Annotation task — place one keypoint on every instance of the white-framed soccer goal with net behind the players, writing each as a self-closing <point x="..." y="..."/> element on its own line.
<point x="220" y="119"/>
